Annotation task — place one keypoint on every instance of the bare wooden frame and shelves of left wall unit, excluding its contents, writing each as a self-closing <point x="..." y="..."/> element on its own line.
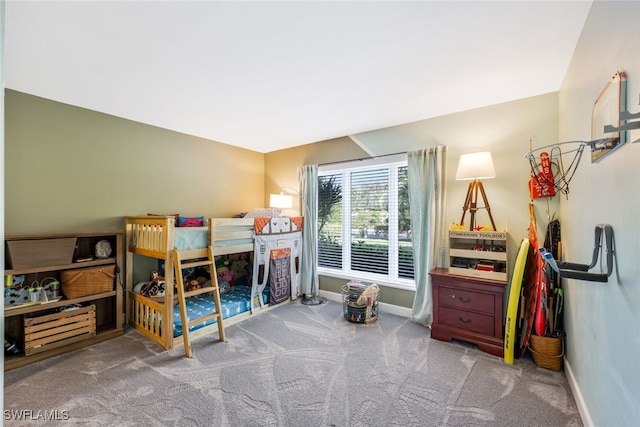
<point x="108" y="305"/>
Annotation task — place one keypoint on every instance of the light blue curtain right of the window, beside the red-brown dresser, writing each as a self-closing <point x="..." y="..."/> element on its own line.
<point x="426" y="175"/>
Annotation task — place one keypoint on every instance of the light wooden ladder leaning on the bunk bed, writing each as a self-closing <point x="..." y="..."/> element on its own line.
<point x="179" y="265"/>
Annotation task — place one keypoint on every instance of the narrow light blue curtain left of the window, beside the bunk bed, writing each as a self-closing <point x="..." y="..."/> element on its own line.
<point x="308" y="183"/>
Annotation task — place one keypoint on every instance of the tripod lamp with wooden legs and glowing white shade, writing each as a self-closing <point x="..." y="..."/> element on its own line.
<point x="473" y="167"/>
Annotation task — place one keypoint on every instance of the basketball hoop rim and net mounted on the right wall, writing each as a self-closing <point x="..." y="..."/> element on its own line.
<point x="553" y="166"/>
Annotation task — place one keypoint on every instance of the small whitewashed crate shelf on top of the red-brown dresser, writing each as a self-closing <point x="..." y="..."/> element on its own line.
<point x="481" y="254"/>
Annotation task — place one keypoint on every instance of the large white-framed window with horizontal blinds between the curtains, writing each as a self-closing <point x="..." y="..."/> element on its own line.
<point x="364" y="228"/>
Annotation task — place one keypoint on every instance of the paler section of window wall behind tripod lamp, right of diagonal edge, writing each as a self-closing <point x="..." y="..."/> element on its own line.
<point x="505" y="130"/>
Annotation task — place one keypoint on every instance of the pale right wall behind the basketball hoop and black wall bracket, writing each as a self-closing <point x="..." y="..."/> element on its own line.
<point x="602" y="319"/>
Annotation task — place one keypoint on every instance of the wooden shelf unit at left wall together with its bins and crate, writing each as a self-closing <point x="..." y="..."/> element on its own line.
<point x="38" y="329"/>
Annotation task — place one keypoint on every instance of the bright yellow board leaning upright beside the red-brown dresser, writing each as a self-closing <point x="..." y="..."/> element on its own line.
<point x="511" y="323"/>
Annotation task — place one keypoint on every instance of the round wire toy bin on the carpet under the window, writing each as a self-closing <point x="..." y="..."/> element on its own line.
<point x="360" y="302"/>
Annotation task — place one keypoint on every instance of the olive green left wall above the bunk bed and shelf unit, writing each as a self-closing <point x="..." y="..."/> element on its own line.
<point x="72" y="169"/>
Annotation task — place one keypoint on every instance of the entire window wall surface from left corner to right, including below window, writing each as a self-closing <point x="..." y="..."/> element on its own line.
<point x="504" y="129"/>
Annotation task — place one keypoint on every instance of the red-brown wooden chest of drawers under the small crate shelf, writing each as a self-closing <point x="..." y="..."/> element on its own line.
<point x="468" y="309"/>
